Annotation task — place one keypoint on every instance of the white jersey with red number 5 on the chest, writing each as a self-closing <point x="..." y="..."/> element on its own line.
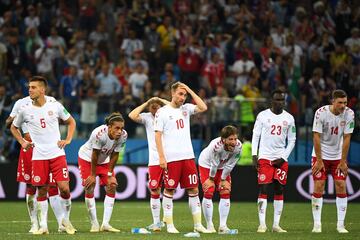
<point x="43" y="126"/>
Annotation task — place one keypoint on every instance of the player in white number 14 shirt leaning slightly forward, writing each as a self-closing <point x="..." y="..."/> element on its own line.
<point x="332" y="129"/>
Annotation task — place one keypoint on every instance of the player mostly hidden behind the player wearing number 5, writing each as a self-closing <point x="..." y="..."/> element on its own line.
<point x="24" y="172"/>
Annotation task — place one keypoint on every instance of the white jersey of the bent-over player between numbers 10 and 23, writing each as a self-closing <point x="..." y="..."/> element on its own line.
<point x="215" y="157"/>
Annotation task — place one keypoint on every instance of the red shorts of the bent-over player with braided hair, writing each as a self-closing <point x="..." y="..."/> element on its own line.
<point x="101" y="171"/>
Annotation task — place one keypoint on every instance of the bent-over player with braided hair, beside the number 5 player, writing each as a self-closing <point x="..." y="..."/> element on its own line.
<point x="97" y="157"/>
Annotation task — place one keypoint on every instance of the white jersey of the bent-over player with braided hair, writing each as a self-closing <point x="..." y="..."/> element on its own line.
<point x="99" y="139"/>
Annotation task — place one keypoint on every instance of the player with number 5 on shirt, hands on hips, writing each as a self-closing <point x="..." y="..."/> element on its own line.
<point x="48" y="159"/>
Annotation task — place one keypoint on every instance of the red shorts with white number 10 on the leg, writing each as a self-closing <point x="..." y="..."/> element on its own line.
<point x="183" y="171"/>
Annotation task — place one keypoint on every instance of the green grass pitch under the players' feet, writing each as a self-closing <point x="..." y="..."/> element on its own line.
<point x="296" y="219"/>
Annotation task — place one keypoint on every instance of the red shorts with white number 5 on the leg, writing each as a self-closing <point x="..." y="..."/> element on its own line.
<point x="49" y="171"/>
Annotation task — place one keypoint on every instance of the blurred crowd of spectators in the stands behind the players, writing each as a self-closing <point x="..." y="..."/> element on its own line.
<point x="112" y="55"/>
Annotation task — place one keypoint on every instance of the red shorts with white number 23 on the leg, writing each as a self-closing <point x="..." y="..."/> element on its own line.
<point x="268" y="173"/>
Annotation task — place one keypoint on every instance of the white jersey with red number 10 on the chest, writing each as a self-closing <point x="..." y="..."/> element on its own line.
<point x="174" y="123"/>
